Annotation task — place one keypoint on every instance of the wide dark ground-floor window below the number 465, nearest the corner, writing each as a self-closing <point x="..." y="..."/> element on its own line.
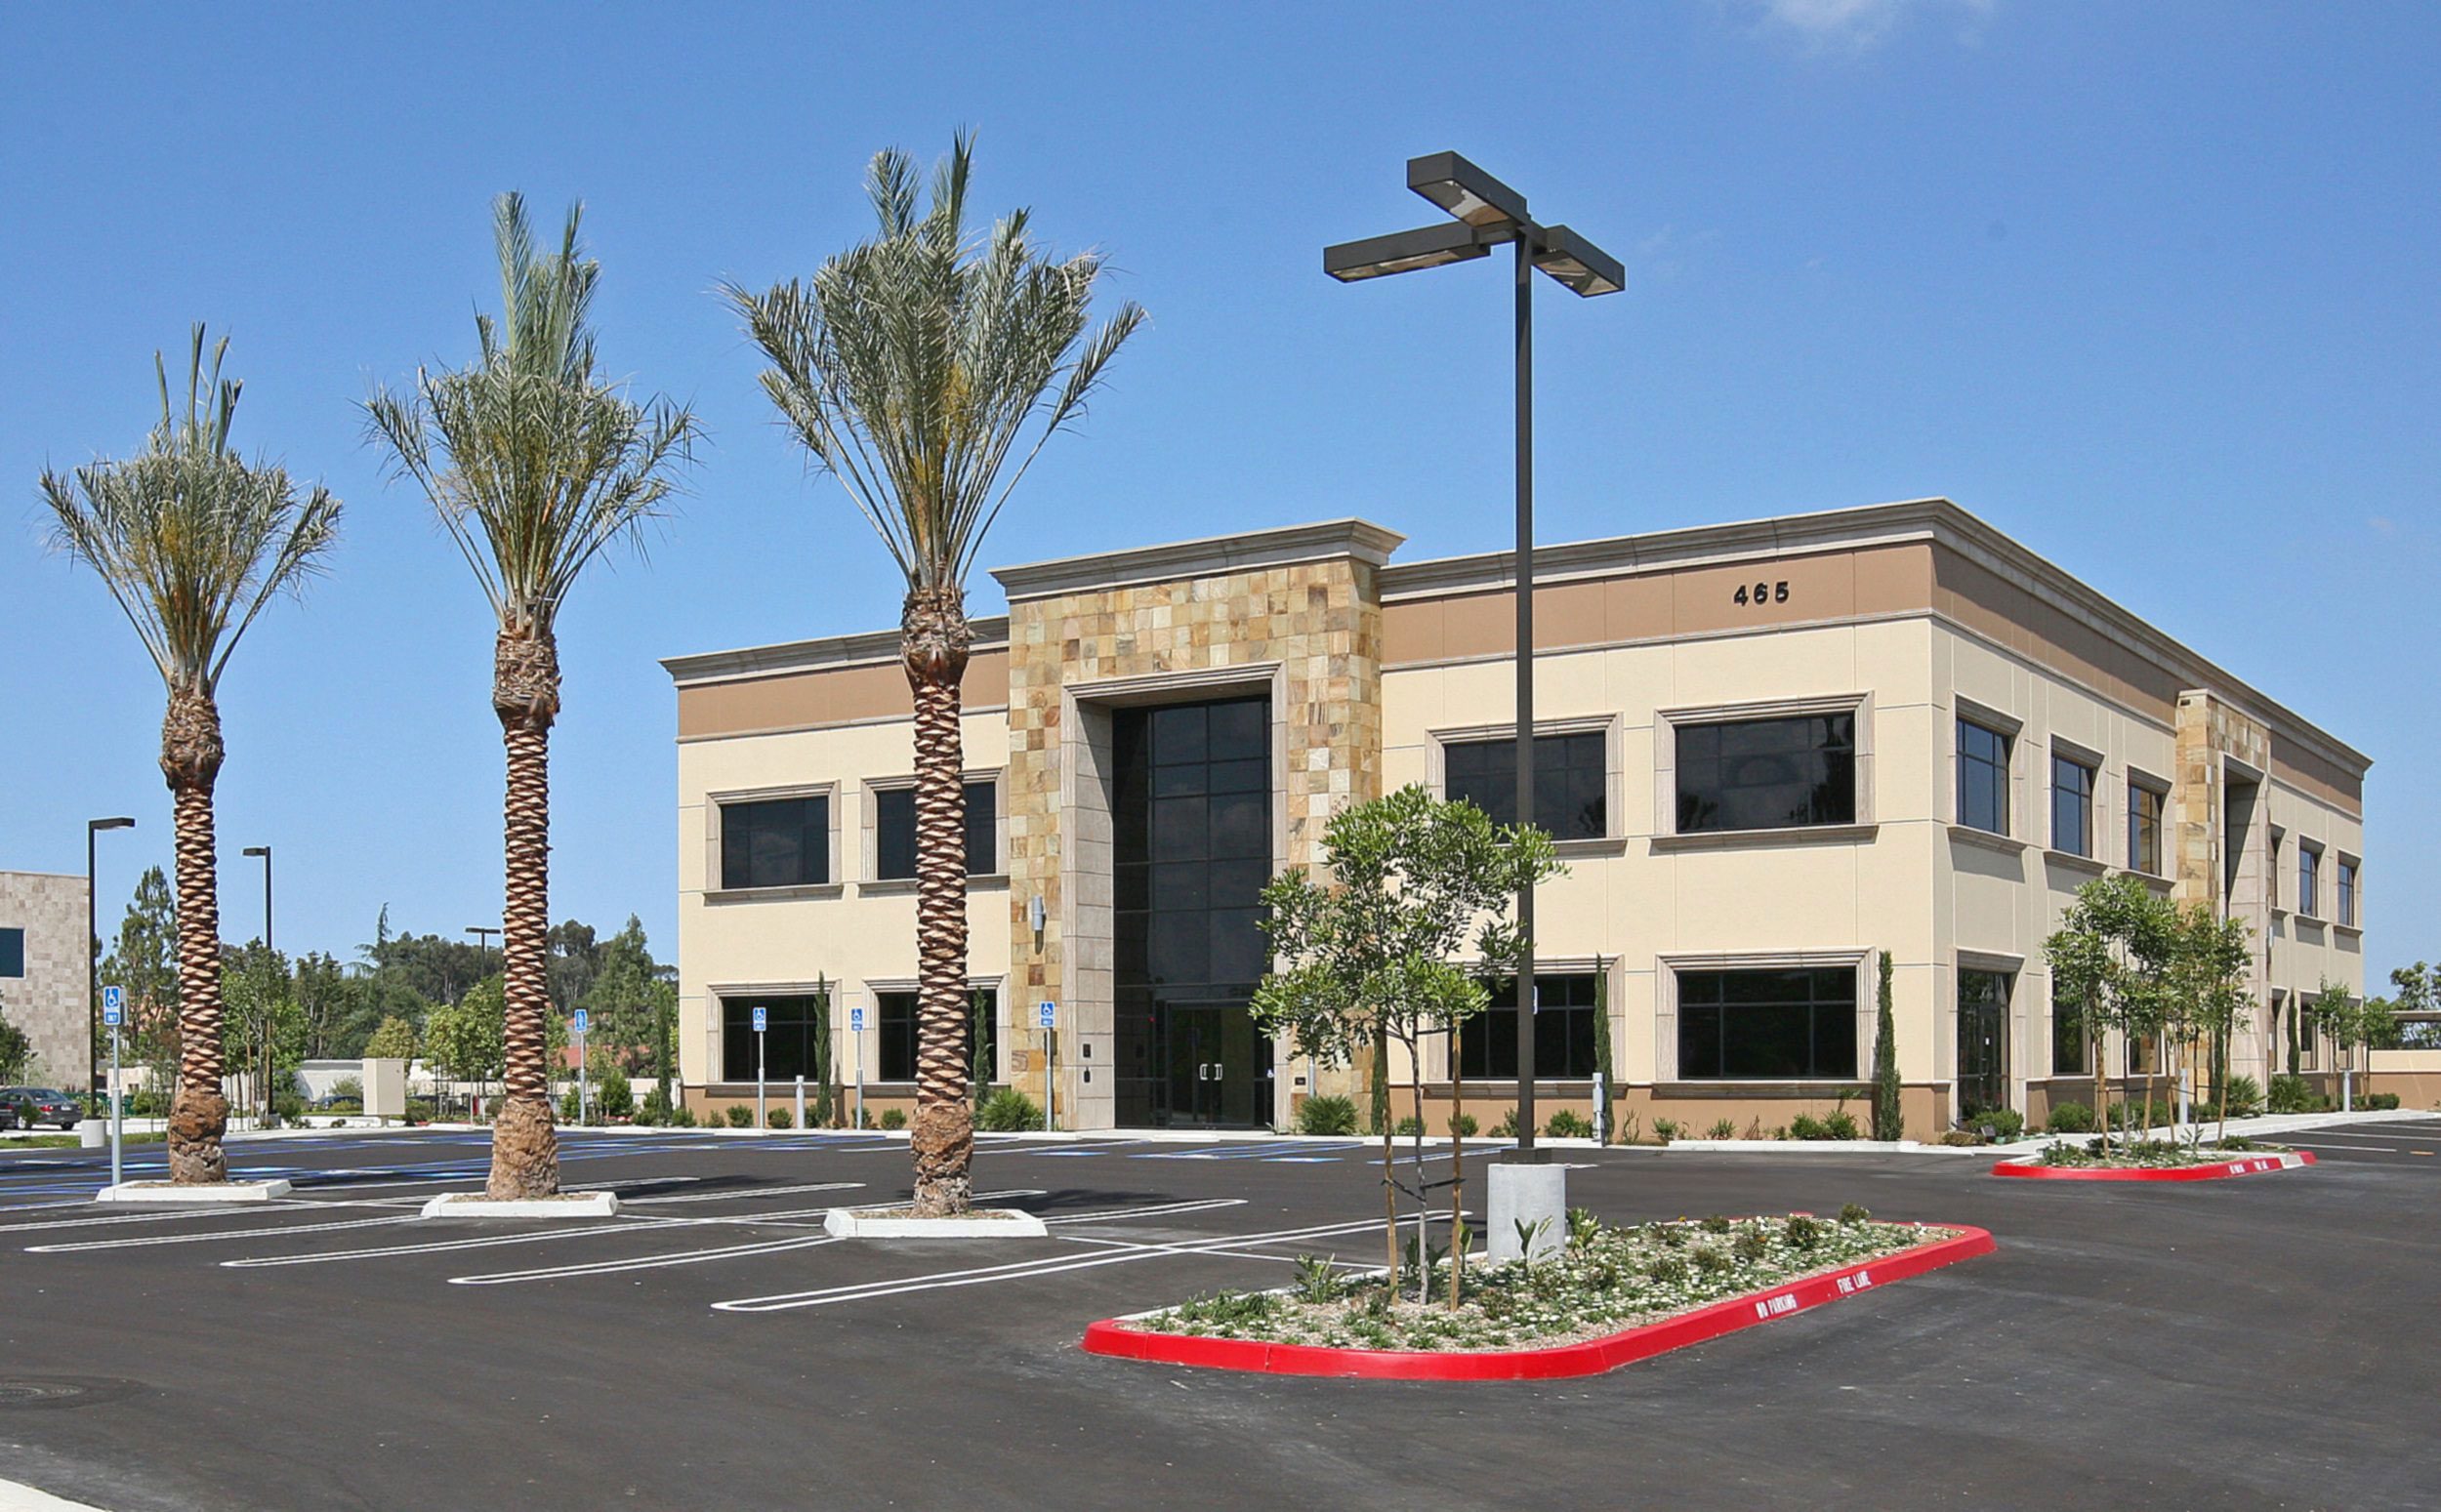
<point x="1769" y="1025"/>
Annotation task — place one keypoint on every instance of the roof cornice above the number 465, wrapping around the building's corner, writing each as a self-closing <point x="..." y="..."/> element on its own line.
<point x="1844" y="530"/>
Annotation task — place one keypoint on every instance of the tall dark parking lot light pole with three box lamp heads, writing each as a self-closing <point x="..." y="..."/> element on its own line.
<point x="1488" y="213"/>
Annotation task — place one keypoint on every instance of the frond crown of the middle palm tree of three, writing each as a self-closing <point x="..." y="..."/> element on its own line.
<point x="536" y="462"/>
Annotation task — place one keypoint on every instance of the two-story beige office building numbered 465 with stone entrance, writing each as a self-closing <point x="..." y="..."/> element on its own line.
<point x="1773" y="752"/>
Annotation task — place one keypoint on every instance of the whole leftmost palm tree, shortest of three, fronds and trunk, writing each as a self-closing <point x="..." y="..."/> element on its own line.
<point x="192" y="543"/>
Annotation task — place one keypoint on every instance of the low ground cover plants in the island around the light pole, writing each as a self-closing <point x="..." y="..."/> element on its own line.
<point x="1603" y="1282"/>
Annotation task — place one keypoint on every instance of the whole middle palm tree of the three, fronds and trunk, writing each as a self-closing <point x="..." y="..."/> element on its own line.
<point x="536" y="465"/>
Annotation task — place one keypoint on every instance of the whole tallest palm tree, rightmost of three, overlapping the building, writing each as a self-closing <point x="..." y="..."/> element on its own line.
<point x="912" y="369"/>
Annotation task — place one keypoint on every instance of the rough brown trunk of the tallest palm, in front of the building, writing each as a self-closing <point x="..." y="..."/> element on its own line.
<point x="934" y="645"/>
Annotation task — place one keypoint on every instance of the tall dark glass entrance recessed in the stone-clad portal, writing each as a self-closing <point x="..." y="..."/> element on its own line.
<point x="1190" y="855"/>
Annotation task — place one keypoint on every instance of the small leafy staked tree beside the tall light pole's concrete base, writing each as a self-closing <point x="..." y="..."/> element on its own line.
<point x="1376" y="955"/>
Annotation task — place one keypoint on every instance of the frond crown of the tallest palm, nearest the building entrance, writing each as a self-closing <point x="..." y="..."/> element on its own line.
<point x="917" y="365"/>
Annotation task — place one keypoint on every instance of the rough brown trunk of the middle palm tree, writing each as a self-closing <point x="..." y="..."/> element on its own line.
<point x="526" y="699"/>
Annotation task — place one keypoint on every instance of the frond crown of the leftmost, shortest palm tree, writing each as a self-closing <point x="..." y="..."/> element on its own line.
<point x="192" y="538"/>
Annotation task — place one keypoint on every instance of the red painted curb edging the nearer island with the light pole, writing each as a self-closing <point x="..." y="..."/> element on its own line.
<point x="1590" y="1357"/>
